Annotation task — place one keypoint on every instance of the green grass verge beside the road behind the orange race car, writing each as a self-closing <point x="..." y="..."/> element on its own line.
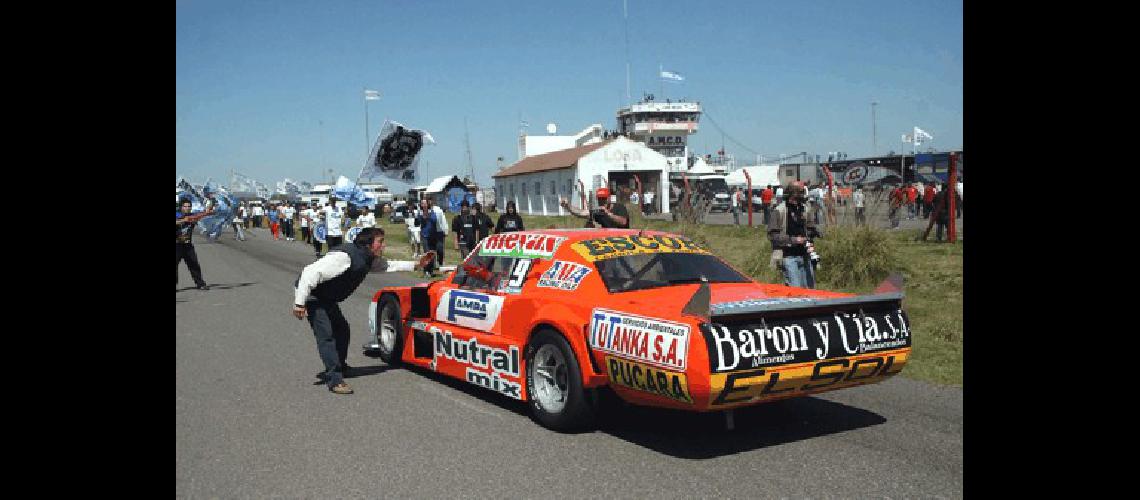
<point x="856" y="260"/>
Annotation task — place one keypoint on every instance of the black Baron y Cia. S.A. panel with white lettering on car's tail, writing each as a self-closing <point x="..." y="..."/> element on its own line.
<point x="744" y="346"/>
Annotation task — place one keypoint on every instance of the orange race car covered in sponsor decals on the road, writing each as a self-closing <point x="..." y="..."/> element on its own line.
<point x="550" y="317"/>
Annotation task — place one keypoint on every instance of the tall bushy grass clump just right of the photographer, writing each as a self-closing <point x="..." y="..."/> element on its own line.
<point x="856" y="257"/>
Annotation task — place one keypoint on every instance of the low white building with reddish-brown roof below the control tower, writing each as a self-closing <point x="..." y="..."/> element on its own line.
<point x="536" y="184"/>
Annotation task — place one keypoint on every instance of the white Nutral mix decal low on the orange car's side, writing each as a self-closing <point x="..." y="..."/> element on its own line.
<point x="487" y="367"/>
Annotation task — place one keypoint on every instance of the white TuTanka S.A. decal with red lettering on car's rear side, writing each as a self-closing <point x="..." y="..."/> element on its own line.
<point x="652" y="341"/>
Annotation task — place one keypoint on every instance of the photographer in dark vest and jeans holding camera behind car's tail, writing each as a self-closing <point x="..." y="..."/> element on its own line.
<point x="791" y="234"/>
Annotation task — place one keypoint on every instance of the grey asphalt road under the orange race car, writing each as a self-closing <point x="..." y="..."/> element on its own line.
<point x="253" y="421"/>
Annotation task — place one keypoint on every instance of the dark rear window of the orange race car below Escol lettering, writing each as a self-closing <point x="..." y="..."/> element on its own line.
<point x="642" y="272"/>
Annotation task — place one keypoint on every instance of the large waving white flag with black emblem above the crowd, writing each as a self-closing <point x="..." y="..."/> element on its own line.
<point x="396" y="154"/>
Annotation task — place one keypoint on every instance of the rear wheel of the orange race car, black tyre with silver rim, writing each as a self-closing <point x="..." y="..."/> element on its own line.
<point x="557" y="400"/>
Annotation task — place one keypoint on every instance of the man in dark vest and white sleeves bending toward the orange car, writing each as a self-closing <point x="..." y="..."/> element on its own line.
<point x="331" y="280"/>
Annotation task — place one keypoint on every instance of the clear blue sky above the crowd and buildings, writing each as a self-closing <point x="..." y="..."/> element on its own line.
<point x="255" y="80"/>
